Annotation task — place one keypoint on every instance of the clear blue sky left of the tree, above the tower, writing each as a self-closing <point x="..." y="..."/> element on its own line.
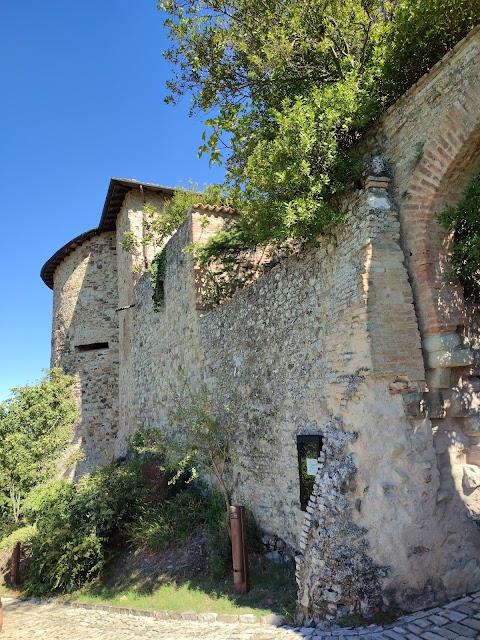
<point x="82" y="87"/>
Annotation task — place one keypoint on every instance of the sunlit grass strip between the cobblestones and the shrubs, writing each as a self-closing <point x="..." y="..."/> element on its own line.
<point x="273" y="591"/>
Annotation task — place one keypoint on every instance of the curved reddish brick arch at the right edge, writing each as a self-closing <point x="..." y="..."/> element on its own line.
<point x="438" y="179"/>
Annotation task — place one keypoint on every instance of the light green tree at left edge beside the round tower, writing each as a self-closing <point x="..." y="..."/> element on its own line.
<point x="35" y="428"/>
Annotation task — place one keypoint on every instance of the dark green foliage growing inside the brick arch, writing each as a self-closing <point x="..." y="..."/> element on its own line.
<point x="463" y="220"/>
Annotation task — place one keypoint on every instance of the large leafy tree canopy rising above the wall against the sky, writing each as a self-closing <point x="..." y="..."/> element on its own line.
<point x="288" y="85"/>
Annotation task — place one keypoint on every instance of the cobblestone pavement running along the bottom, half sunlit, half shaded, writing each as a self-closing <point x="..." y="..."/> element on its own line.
<point x="26" y="620"/>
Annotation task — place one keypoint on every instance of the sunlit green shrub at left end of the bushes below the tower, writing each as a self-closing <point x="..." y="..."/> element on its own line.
<point x="77" y="524"/>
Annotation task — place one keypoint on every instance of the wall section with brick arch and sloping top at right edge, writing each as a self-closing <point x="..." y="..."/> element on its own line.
<point x="431" y="138"/>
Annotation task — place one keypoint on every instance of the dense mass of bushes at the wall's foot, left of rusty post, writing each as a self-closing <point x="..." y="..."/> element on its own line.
<point x="79" y="527"/>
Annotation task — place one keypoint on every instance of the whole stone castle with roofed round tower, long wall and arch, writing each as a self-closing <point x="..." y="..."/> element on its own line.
<point x="361" y="351"/>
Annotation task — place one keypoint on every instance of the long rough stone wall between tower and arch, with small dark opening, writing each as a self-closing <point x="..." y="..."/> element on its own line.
<point x="325" y="343"/>
